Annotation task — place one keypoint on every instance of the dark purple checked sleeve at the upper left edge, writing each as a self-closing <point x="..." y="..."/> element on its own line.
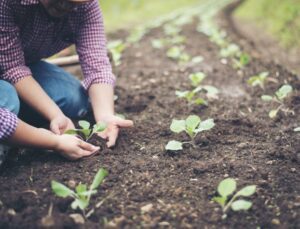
<point x="12" y="61"/>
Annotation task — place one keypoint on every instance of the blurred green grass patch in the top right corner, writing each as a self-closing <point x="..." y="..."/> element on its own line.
<point x="281" y="18"/>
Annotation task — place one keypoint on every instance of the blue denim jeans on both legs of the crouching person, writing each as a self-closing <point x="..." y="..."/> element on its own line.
<point x="63" y="88"/>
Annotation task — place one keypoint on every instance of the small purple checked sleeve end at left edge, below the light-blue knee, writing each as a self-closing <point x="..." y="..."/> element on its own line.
<point x="8" y="123"/>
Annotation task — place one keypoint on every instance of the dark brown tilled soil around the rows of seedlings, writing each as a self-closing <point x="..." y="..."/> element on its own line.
<point x="176" y="188"/>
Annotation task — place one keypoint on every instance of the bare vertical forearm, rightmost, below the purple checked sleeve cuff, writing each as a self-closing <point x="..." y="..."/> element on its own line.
<point x="102" y="99"/>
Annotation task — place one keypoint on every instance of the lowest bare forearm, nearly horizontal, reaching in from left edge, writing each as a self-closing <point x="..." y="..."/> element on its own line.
<point x="26" y="135"/>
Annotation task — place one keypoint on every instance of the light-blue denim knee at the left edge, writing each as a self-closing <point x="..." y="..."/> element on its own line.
<point x="9" y="97"/>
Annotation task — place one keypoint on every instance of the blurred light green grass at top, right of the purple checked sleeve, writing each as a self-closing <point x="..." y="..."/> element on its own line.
<point x="123" y="14"/>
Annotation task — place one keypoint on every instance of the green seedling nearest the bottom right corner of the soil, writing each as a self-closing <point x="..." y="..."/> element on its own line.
<point x="226" y="189"/>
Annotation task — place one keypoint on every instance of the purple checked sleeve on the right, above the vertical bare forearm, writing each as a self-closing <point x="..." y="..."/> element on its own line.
<point x="91" y="47"/>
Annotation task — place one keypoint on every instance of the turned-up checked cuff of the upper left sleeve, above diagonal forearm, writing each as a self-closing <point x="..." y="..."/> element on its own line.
<point x="15" y="74"/>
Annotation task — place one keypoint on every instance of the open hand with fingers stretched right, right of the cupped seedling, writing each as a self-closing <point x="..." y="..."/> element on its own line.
<point x="114" y="123"/>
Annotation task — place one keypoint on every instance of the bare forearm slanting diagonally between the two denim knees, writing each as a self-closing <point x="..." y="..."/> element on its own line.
<point x="34" y="95"/>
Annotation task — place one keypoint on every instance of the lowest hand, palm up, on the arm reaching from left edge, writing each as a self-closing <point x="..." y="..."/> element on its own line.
<point x="74" y="148"/>
